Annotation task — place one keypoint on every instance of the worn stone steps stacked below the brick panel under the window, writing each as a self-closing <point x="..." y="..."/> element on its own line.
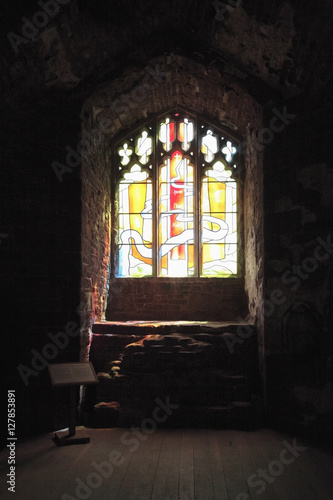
<point x="210" y="370"/>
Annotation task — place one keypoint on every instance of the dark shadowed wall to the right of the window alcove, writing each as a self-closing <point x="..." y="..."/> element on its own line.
<point x="298" y="265"/>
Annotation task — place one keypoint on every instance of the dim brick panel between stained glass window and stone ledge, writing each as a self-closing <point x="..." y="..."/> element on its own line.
<point x="174" y="299"/>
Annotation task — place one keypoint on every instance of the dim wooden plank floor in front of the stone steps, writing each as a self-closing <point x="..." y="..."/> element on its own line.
<point x="170" y="464"/>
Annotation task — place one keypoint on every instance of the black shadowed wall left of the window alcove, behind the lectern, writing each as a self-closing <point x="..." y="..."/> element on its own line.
<point x="40" y="257"/>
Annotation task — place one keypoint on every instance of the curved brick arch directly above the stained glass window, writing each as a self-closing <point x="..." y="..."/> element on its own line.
<point x="167" y="82"/>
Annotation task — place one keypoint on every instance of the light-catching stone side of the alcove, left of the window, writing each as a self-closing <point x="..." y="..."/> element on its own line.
<point x="95" y="233"/>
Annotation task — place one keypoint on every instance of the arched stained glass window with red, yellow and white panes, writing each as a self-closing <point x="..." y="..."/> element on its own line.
<point x="177" y="200"/>
